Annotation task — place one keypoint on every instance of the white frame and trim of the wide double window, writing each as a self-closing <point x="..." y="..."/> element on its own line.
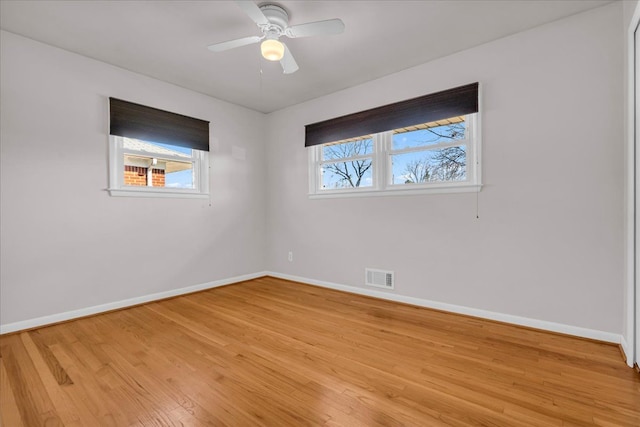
<point x="381" y="165"/>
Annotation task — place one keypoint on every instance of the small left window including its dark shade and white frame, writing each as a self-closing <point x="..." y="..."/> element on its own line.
<point x="155" y="153"/>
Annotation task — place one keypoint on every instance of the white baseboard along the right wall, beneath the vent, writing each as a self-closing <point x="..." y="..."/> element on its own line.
<point x="507" y="318"/>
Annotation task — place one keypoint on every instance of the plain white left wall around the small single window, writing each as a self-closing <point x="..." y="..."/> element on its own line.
<point x="66" y="244"/>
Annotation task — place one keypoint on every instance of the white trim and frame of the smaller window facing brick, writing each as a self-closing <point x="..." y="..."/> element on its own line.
<point x="116" y="175"/>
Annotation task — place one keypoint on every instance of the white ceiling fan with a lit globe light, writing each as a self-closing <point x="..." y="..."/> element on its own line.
<point x="273" y="21"/>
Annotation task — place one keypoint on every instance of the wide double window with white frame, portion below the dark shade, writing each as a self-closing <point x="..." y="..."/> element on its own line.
<point x="438" y="156"/>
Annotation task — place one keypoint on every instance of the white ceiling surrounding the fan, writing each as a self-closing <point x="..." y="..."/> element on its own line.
<point x="168" y="40"/>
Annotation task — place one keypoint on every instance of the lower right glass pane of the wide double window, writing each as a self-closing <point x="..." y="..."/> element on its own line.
<point x="447" y="164"/>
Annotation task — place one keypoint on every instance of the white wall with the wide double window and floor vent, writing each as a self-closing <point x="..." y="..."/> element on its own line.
<point x="549" y="241"/>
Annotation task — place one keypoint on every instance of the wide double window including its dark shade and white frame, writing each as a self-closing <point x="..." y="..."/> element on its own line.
<point x="425" y="144"/>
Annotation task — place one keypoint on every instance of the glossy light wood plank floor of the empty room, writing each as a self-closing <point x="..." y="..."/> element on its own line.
<point x="276" y="353"/>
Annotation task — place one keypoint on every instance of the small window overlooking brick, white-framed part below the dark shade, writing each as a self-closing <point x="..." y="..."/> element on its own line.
<point x="151" y="169"/>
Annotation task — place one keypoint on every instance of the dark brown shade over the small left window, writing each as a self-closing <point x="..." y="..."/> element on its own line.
<point x="153" y="125"/>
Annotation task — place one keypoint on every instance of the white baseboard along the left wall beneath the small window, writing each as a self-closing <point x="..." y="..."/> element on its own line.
<point x="74" y="314"/>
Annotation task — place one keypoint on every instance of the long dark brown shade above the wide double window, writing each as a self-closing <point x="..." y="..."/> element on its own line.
<point x="428" y="108"/>
